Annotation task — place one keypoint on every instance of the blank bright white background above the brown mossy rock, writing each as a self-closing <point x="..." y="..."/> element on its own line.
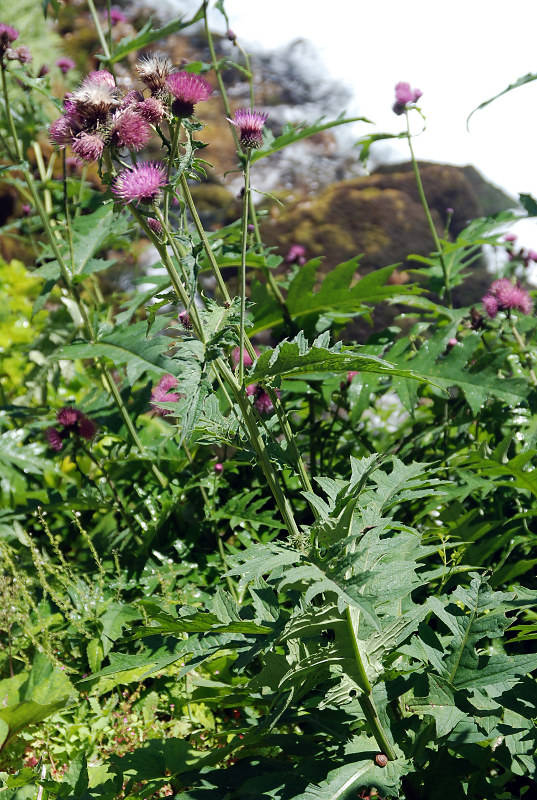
<point x="458" y="53"/>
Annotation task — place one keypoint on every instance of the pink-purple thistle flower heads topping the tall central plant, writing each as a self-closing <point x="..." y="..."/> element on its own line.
<point x="97" y="116"/>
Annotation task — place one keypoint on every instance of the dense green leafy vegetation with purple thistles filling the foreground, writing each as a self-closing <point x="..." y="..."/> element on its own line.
<point x="301" y="570"/>
